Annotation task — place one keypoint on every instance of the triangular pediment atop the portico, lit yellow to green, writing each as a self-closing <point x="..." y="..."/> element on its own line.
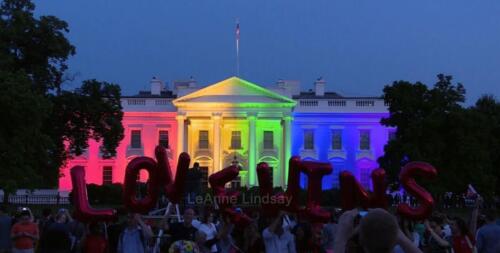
<point x="234" y="92"/>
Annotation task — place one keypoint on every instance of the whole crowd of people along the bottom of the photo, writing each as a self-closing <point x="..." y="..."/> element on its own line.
<point x="205" y="230"/>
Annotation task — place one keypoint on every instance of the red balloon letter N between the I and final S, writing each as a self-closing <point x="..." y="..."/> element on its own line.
<point x="352" y="193"/>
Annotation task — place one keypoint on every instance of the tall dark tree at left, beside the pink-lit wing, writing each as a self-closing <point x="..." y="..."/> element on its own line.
<point x="46" y="124"/>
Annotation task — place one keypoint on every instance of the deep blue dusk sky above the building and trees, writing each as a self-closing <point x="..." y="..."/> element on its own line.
<point x="357" y="46"/>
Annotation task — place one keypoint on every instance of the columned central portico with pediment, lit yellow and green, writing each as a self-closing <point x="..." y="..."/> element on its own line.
<point x="236" y="119"/>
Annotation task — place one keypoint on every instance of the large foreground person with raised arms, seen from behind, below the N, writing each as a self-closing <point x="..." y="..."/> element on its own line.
<point x="377" y="232"/>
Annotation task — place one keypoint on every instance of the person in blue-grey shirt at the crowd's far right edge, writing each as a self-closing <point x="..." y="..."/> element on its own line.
<point x="488" y="236"/>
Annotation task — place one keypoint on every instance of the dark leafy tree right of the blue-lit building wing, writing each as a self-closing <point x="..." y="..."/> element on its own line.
<point x="434" y="126"/>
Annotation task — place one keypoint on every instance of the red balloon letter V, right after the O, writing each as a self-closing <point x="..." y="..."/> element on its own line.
<point x="174" y="190"/>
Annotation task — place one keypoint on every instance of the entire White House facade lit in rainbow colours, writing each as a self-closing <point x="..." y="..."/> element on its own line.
<point x="238" y="121"/>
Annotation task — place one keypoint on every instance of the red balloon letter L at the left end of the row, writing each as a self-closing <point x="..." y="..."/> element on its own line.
<point x="83" y="211"/>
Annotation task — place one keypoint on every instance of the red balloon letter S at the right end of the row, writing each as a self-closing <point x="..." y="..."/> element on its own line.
<point x="407" y="178"/>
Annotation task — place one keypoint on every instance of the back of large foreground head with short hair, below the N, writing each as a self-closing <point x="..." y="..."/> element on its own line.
<point x="378" y="231"/>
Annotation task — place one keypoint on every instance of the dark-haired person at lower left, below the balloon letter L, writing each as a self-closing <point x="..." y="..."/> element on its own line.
<point x="57" y="237"/>
